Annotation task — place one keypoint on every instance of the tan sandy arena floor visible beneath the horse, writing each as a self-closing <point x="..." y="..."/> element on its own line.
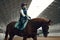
<point x="39" y="38"/>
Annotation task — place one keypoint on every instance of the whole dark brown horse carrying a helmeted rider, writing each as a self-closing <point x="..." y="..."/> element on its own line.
<point x="31" y="29"/>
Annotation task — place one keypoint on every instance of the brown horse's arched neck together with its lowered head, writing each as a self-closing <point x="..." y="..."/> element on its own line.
<point x="44" y="23"/>
